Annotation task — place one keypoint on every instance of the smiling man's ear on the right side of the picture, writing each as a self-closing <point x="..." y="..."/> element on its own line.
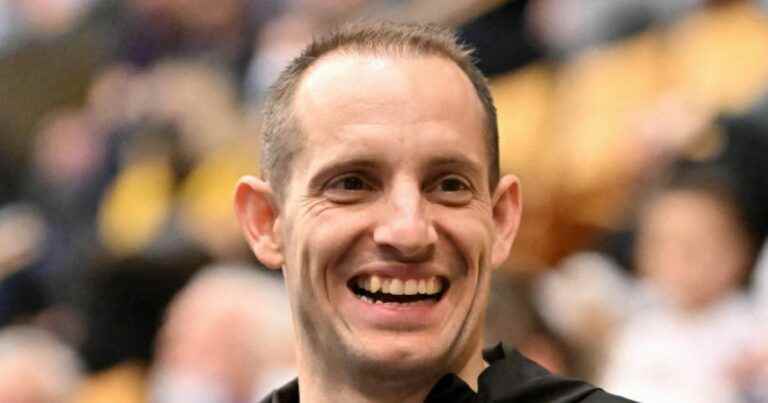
<point x="507" y="209"/>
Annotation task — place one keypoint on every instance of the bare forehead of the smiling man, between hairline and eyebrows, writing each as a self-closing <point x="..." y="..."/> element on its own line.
<point x="420" y="102"/>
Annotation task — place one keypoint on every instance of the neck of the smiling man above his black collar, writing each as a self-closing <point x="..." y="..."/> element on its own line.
<point x="325" y="385"/>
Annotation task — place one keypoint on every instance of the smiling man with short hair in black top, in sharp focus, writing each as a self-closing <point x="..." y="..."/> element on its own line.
<point x="382" y="203"/>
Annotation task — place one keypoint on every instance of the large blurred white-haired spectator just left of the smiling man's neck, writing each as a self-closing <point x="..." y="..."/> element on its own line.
<point x="226" y="339"/>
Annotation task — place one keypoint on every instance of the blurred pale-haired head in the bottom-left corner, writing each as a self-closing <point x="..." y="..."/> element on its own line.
<point x="36" y="368"/>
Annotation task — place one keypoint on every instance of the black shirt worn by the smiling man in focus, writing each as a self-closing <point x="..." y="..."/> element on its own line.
<point x="510" y="378"/>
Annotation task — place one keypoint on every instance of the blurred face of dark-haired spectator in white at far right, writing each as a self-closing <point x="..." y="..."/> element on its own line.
<point x="691" y="245"/>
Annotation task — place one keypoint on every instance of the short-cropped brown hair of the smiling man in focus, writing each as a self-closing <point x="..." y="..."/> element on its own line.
<point x="280" y="129"/>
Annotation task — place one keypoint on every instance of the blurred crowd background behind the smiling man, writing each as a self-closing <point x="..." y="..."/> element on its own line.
<point x="639" y="129"/>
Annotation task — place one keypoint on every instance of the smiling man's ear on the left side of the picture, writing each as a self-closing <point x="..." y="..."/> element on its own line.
<point x="259" y="219"/>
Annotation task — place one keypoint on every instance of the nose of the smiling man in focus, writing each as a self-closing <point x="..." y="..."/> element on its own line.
<point x="405" y="227"/>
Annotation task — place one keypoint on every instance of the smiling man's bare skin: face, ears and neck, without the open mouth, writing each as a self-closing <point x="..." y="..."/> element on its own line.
<point x="393" y="180"/>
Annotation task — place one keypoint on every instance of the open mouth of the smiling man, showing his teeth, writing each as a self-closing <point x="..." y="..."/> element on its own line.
<point x="382" y="290"/>
